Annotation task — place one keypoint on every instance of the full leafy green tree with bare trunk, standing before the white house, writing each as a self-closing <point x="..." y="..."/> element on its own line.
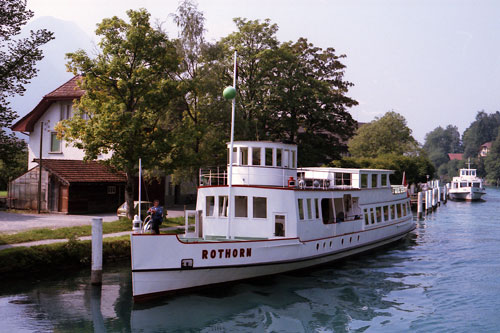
<point x="129" y="89"/>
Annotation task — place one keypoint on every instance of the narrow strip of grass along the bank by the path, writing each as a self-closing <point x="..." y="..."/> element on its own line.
<point x="78" y="231"/>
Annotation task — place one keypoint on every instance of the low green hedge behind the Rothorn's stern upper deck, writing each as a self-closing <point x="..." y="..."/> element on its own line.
<point x="416" y="168"/>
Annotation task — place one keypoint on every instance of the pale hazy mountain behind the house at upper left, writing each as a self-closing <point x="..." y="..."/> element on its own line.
<point x="52" y="73"/>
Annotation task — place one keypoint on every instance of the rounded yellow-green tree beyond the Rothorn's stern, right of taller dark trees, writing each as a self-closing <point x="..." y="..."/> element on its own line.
<point x="385" y="135"/>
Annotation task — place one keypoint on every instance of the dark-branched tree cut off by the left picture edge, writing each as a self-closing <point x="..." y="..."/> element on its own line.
<point x="18" y="57"/>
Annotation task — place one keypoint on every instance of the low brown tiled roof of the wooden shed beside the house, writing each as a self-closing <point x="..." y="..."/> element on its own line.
<point x="77" y="171"/>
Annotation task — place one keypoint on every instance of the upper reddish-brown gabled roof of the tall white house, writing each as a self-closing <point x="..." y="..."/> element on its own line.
<point x="68" y="91"/>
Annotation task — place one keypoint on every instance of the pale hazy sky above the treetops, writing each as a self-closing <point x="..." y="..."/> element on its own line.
<point x="435" y="62"/>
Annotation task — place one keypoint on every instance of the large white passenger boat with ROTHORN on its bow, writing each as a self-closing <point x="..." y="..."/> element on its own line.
<point x="270" y="217"/>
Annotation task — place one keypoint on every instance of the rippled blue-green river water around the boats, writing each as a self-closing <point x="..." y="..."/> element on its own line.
<point x="444" y="277"/>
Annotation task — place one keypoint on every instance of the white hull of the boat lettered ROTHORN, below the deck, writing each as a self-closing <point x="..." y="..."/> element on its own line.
<point x="152" y="277"/>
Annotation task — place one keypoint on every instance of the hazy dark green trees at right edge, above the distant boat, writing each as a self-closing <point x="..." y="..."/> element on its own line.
<point x="483" y="129"/>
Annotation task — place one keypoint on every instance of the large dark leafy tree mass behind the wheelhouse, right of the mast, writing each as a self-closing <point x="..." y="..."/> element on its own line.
<point x="290" y="91"/>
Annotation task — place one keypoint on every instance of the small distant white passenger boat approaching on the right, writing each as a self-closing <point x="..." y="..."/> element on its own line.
<point x="467" y="186"/>
